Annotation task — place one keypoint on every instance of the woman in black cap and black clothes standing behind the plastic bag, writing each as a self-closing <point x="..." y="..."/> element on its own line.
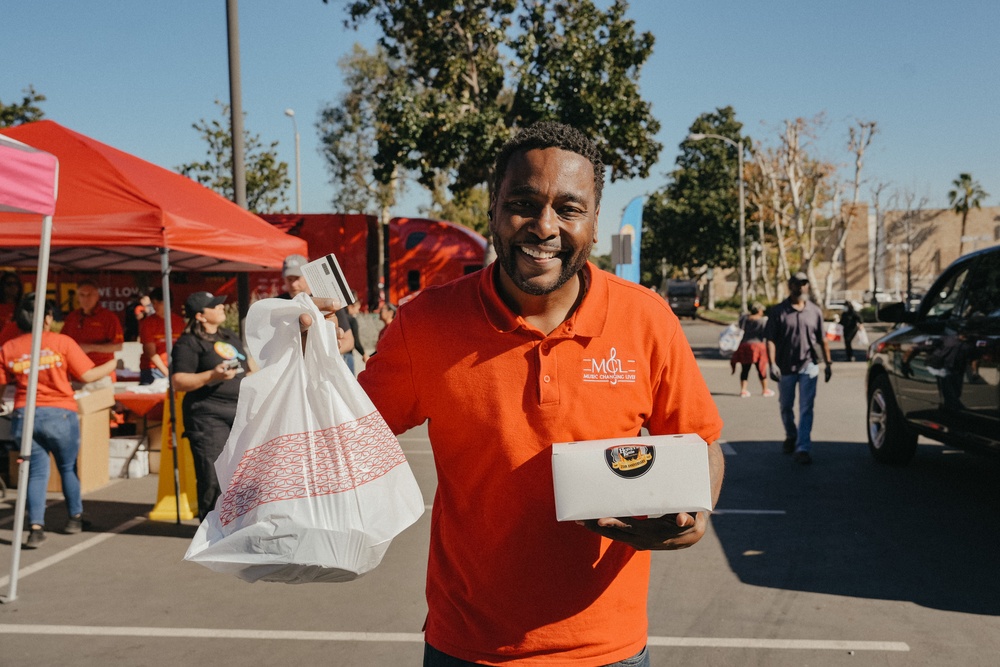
<point x="208" y="365"/>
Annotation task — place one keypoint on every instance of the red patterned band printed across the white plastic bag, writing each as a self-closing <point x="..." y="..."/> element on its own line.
<point x="289" y="467"/>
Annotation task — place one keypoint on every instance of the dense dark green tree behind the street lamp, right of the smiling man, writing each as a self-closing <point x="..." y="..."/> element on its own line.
<point x="693" y="221"/>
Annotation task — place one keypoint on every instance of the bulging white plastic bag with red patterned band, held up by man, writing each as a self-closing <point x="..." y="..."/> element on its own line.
<point x="314" y="483"/>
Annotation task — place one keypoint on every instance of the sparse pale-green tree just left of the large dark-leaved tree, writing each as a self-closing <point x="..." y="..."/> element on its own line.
<point x="349" y="133"/>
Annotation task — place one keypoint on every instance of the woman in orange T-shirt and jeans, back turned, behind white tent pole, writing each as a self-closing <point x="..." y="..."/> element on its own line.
<point x="57" y="426"/>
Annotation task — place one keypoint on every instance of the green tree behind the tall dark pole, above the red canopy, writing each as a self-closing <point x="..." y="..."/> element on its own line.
<point x="267" y="177"/>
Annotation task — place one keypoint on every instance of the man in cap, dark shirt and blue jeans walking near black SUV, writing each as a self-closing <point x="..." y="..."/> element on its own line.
<point x="794" y="330"/>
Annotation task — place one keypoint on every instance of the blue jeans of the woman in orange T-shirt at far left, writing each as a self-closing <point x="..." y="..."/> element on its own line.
<point x="57" y="431"/>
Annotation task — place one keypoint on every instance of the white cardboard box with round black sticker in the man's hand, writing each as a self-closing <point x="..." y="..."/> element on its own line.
<point x="625" y="477"/>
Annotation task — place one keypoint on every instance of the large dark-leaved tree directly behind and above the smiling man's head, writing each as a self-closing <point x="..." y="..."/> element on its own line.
<point x="467" y="79"/>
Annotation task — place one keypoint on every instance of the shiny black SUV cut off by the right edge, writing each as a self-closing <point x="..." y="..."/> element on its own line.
<point x="937" y="374"/>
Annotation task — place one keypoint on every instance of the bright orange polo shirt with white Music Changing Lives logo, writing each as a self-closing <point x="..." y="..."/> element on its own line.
<point x="506" y="582"/>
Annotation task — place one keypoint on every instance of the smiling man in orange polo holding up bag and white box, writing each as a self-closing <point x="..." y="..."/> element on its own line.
<point x="501" y="364"/>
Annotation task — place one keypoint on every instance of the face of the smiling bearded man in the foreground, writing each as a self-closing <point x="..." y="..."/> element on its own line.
<point x="545" y="218"/>
